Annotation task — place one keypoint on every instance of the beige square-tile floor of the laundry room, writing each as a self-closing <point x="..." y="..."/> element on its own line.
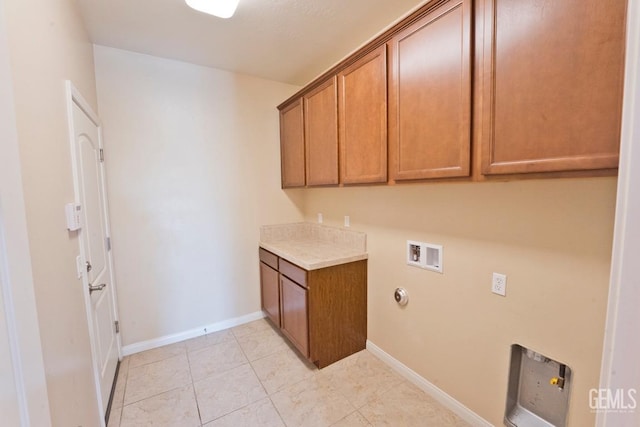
<point x="250" y="376"/>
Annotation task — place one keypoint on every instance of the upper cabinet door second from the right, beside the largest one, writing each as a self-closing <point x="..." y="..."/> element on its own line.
<point x="430" y="95"/>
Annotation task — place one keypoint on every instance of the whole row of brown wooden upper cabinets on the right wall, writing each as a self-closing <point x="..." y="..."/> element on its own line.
<point x="542" y="80"/>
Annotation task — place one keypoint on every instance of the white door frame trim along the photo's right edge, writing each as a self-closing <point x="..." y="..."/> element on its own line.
<point x="621" y="351"/>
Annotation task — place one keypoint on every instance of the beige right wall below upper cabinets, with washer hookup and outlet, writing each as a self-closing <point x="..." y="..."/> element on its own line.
<point x="552" y="238"/>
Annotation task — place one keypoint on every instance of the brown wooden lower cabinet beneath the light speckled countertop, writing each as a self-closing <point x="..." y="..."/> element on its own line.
<point x="322" y="312"/>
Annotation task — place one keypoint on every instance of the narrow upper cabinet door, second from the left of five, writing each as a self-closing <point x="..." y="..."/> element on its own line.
<point x="321" y="134"/>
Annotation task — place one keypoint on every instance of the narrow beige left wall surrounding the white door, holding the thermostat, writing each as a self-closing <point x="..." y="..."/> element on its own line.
<point x="48" y="44"/>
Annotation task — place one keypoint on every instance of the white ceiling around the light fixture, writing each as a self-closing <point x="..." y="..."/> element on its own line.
<point x="290" y="41"/>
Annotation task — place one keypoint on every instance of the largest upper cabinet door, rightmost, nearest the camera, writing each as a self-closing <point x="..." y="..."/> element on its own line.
<point x="552" y="85"/>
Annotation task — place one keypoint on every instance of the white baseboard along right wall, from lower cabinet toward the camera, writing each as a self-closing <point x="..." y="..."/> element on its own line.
<point x="443" y="398"/>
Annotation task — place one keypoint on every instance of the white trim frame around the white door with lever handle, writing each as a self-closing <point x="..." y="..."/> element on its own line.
<point x="75" y="97"/>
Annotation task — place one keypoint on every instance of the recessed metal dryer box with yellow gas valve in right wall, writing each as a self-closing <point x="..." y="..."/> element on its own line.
<point x="538" y="393"/>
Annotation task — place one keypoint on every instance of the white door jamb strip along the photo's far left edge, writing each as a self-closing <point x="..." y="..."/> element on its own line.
<point x="23" y="388"/>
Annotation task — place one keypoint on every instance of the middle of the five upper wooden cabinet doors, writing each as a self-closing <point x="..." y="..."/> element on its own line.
<point x="362" y="106"/>
